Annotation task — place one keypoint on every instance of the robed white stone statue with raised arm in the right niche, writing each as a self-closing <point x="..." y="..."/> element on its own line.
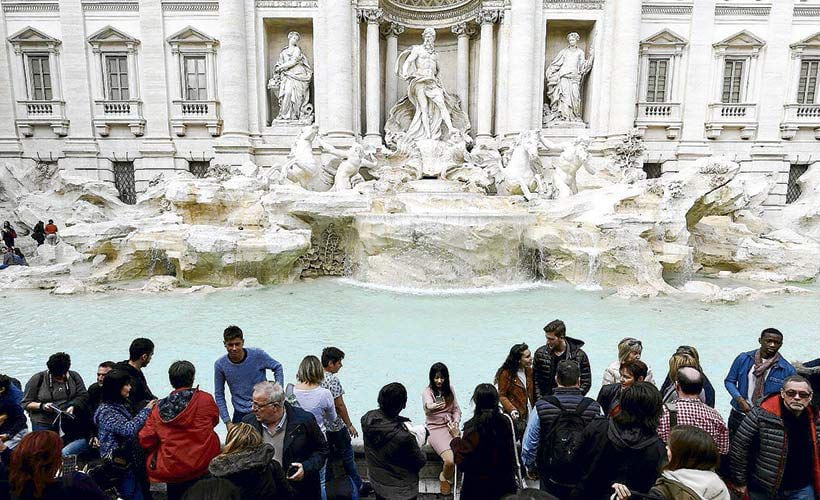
<point x="565" y="75"/>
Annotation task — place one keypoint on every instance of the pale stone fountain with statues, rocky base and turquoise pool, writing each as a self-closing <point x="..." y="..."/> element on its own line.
<point x="428" y="234"/>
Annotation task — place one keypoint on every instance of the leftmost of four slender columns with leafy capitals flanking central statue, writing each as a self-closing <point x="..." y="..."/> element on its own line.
<point x="373" y="76"/>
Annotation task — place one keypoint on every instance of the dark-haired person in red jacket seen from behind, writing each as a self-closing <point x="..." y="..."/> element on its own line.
<point x="179" y="436"/>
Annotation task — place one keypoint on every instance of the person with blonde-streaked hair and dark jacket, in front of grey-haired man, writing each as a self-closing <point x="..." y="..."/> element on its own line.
<point x="249" y="464"/>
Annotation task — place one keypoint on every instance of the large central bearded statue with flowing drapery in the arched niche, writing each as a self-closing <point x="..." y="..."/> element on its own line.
<point x="428" y="112"/>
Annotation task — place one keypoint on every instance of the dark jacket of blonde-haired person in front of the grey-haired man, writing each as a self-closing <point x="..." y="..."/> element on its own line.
<point x="254" y="472"/>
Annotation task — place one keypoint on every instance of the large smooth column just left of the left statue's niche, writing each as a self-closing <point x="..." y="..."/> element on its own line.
<point x="233" y="147"/>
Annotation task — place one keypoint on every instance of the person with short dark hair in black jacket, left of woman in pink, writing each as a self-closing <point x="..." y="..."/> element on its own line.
<point x="392" y="449"/>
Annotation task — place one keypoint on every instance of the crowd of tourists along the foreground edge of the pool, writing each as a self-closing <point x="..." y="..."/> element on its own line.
<point x="534" y="421"/>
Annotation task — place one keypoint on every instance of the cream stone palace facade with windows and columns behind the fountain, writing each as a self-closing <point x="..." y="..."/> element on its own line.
<point x="121" y="90"/>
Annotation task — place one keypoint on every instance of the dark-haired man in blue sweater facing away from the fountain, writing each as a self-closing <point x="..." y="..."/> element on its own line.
<point x="241" y="368"/>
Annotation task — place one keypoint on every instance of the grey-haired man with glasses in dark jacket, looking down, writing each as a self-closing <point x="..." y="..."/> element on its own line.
<point x="300" y="446"/>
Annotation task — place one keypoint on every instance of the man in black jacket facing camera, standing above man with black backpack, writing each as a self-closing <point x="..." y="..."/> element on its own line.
<point x="558" y="347"/>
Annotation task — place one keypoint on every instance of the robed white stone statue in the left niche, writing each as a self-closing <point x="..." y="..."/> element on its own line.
<point x="291" y="80"/>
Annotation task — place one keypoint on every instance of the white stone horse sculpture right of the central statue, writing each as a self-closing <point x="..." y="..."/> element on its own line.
<point x="523" y="172"/>
